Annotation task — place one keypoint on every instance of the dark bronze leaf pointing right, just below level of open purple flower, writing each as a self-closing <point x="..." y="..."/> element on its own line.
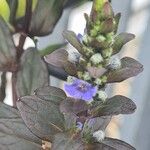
<point x="115" y="106"/>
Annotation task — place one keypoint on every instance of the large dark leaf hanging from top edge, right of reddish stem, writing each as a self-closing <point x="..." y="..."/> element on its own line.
<point x="45" y="17"/>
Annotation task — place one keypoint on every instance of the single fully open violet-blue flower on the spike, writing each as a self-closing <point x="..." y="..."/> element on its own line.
<point x="80" y="89"/>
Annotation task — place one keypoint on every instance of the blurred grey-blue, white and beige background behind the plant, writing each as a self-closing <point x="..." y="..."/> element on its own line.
<point x="135" y="128"/>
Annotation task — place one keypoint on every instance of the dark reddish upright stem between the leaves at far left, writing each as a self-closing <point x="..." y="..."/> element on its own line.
<point x="20" y="47"/>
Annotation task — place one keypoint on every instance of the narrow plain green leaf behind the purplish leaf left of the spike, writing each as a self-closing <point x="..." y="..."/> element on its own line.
<point x="51" y="48"/>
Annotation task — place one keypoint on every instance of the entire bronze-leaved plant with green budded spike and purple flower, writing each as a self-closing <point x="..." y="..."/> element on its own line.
<point x="75" y="117"/>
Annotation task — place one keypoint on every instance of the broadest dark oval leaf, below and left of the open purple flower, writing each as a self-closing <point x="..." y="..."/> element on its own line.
<point x="42" y="117"/>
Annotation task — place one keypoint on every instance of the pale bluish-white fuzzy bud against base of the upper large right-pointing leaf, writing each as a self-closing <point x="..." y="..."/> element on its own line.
<point x="115" y="64"/>
